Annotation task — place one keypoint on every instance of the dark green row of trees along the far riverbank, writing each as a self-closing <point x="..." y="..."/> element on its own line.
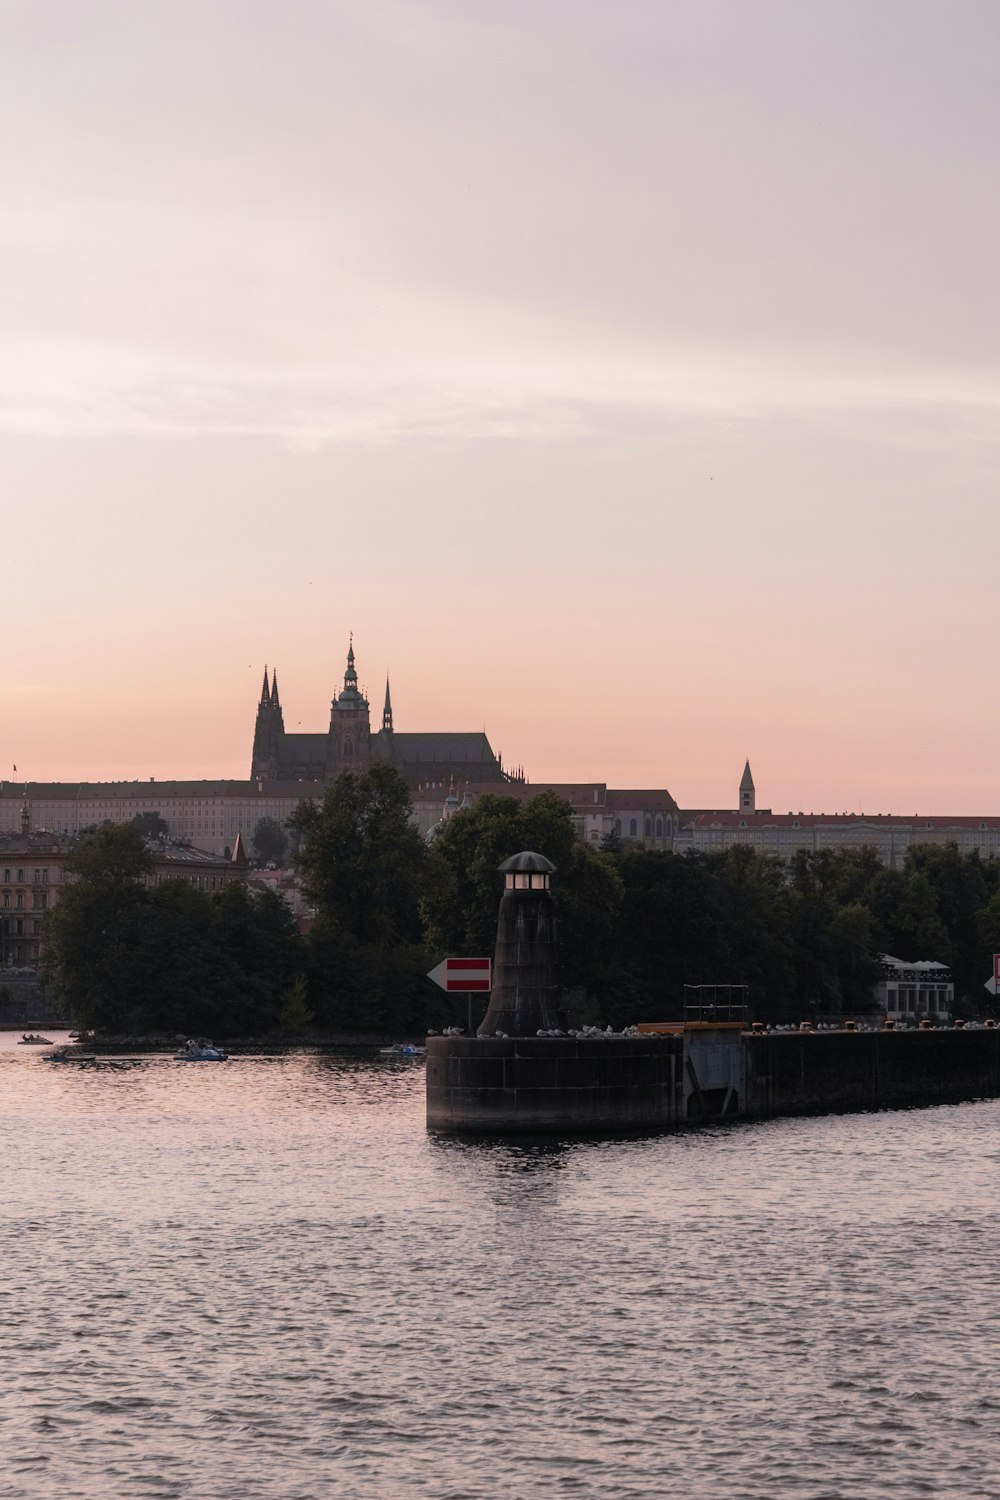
<point x="635" y="925"/>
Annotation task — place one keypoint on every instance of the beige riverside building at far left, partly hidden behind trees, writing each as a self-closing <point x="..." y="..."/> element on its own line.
<point x="34" y="872"/>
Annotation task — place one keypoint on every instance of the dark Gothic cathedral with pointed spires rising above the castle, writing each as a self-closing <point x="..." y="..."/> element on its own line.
<point x="352" y="745"/>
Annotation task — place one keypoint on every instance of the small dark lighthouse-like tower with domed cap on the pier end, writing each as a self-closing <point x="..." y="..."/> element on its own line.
<point x="525" y="997"/>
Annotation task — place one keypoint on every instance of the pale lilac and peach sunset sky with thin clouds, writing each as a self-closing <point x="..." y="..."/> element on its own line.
<point x="624" y="374"/>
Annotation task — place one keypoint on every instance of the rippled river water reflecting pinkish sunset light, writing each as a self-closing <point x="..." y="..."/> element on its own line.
<point x="265" y="1280"/>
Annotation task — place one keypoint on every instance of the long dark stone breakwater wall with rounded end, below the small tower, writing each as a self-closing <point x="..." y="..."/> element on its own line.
<point x="537" y="1085"/>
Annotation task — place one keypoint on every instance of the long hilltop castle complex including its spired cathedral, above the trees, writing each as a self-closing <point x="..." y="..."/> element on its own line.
<point x="445" y="772"/>
